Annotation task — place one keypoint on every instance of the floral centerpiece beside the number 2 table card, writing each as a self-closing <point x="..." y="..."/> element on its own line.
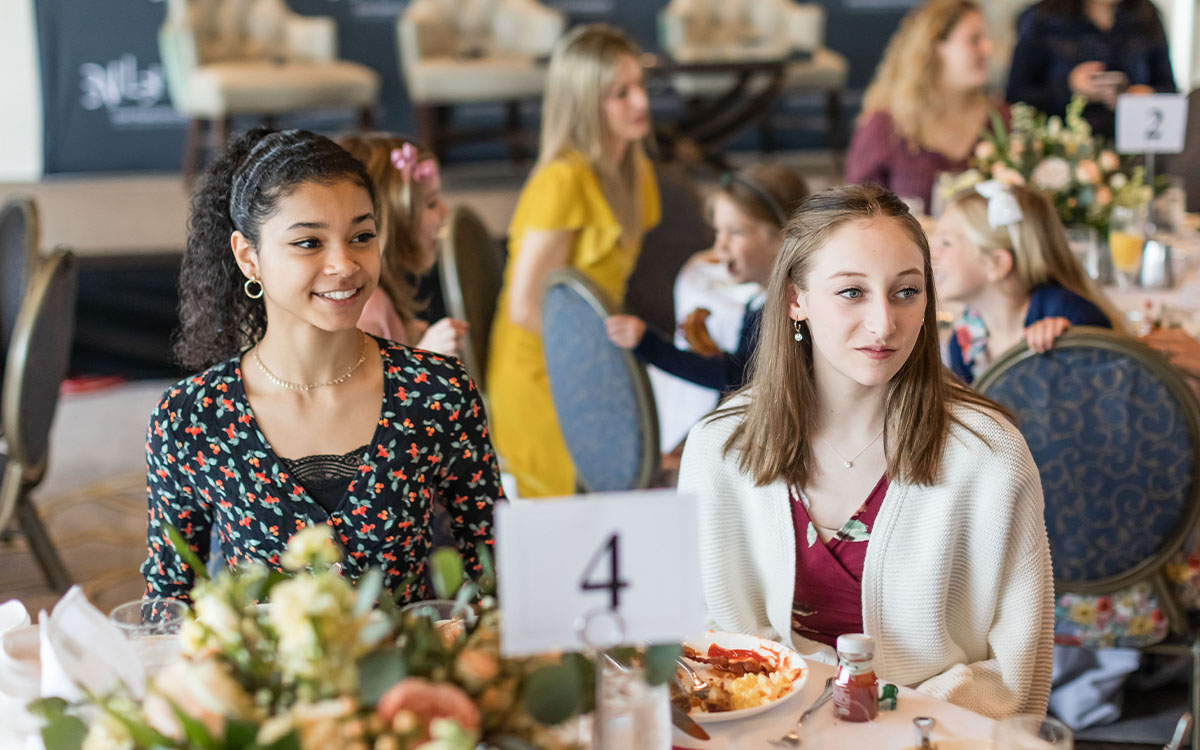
<point x="1061" y="157"/>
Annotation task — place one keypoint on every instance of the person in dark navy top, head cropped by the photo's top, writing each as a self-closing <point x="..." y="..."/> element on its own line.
<point x="1095" y="49"/>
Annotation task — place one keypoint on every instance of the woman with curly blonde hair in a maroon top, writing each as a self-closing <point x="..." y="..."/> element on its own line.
<point x="928" y="105"/>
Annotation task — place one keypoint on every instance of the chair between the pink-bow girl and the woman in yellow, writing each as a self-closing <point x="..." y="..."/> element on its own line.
<point x="472" y="271"/>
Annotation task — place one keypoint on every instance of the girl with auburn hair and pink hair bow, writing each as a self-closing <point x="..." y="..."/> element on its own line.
<point x="412" y="214"/>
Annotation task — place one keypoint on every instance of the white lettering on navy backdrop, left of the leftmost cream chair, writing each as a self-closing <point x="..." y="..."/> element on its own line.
<point x="133" y="97"/>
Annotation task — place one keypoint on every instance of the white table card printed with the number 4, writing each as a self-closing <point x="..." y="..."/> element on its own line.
<point x="631" y="554"/>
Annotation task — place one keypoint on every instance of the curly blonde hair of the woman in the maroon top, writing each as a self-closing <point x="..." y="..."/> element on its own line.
<point x="907" y="83"/>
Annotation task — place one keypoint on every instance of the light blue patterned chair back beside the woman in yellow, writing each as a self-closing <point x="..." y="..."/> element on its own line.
<point x="602" y="395"/>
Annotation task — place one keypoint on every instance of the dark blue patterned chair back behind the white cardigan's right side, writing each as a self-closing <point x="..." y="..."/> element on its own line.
<point x="1115" y="433"/>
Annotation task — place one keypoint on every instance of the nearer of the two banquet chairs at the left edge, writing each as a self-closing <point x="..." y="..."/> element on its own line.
<point x="38" y="361"/>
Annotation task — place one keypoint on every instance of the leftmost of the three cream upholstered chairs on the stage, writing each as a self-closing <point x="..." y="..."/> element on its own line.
<point x="230" y="58"/>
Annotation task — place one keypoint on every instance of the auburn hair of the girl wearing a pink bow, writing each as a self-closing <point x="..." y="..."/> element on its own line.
<point x="401" y="203"/>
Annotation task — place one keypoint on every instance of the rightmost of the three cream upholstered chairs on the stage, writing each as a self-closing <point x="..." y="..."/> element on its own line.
<point x="733" y="31"/>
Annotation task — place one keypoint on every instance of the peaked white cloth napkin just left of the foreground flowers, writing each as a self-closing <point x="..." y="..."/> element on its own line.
<point x="83" y="651"/>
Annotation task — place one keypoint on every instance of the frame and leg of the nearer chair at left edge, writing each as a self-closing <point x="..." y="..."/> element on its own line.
<point x="23" y="471"/>
